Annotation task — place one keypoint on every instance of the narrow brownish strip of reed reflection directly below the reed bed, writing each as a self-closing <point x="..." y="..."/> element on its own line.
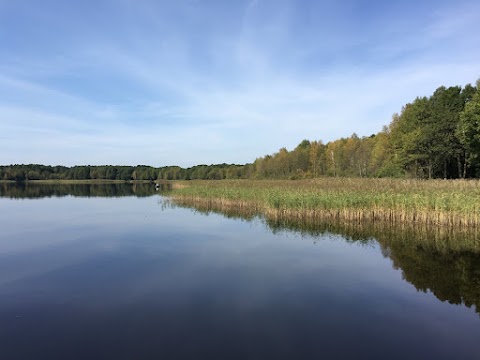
<point x="439" y="238"/>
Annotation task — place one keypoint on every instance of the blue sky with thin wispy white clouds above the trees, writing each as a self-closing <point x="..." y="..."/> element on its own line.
<point x="188" y="82"/>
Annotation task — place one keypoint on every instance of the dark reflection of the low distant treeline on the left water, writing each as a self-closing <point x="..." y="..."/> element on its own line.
<point x="39" y="190"/>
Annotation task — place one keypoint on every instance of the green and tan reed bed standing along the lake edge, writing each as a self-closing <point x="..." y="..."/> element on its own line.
<point x="432" y="202"/>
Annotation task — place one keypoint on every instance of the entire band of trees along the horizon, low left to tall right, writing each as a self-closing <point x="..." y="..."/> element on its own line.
<point x="432" y="137"/>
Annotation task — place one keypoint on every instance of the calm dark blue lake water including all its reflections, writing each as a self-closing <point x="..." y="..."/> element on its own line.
<point x="113" y="272"/>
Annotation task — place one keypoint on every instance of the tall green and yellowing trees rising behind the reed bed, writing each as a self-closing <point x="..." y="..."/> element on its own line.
<point x="432" y="137"/>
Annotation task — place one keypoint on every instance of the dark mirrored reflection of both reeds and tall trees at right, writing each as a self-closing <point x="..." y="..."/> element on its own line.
<point x="444" y="261"/>
